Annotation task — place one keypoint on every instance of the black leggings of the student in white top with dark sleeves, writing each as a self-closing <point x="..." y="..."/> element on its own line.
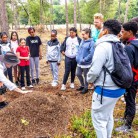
<point x="70" y="66"/>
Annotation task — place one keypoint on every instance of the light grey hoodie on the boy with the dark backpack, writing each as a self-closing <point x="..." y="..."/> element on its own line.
<point x="103" y="56"/>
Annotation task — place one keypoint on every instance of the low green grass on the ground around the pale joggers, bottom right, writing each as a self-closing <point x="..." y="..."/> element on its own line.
<point x="81" y="126"/>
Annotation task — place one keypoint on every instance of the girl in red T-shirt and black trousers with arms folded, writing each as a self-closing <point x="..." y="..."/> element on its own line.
<point x="23" y="54"/>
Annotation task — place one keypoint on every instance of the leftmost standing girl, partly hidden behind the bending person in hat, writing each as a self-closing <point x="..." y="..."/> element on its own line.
<point x="5" y="46"/>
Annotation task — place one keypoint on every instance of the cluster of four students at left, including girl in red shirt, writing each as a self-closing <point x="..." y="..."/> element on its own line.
<point x="29" y="57"/>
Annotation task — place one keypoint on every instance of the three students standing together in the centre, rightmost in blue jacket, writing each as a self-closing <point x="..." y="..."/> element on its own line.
<point x="78" y="57"/>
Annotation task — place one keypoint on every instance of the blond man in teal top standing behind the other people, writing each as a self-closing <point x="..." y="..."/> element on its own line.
<point x="98" y="25"/>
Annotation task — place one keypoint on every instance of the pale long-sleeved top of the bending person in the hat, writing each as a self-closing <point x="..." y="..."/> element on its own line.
<point x="11" y="86"/>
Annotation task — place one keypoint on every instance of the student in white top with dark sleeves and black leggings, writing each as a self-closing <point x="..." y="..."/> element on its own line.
<point x="69" y="50"/>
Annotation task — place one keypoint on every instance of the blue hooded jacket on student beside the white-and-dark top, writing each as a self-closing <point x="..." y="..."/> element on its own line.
<point x="85" y="52"/>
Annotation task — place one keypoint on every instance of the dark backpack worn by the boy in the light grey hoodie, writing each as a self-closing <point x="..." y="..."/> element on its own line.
<point x="122" y="74"/>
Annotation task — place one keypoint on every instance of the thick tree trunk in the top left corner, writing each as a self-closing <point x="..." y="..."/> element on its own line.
<point x="4" y="17"/>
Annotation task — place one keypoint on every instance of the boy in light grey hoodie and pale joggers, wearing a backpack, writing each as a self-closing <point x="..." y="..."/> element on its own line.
<point x="102" y="114"/>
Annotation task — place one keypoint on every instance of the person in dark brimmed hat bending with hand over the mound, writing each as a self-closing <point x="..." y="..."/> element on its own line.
<point x="6" y="61"/>
